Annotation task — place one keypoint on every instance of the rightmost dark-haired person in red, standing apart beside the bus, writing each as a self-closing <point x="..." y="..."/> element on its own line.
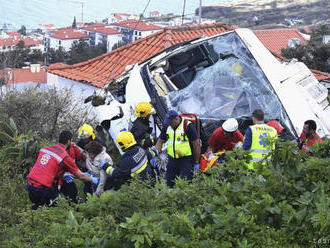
<point x="308" y="137"/>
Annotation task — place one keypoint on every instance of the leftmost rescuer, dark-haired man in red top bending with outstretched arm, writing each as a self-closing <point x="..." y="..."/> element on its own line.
<point x="51" y="164"/>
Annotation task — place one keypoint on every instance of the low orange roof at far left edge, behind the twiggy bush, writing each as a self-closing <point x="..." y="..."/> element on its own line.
<point x="24" y="75"/>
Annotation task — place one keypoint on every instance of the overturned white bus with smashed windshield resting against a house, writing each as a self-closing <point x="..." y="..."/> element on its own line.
<point x="225" y="76"/>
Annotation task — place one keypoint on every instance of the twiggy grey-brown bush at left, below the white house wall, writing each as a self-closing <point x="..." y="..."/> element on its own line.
<point x="44" y="112"/>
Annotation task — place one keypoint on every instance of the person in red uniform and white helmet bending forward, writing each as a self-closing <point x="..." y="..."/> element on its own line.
<point x="225" y="137"/>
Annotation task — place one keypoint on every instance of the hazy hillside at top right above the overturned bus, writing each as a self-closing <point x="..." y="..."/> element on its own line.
<point x="246" y="13"/>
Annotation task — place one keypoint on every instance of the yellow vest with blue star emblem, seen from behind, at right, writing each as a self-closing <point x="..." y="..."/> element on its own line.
<point x="259" y="148"/>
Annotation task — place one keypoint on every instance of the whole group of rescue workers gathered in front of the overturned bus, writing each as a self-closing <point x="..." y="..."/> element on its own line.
<point x="57" y="166"/>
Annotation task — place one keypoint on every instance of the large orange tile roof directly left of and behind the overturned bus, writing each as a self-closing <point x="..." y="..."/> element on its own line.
<point x="107" y="67"/>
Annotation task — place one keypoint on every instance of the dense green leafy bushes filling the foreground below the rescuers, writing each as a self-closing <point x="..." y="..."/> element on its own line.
<point x="284" y="204"/>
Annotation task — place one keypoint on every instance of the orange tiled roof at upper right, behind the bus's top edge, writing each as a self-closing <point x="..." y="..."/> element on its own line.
<point x="276" y="39"/>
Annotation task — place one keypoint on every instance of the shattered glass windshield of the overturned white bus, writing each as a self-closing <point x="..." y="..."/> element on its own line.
<point x="233" y="86"/>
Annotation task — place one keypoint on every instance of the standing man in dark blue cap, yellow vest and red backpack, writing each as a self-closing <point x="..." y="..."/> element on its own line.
<point x="183" y="147"/>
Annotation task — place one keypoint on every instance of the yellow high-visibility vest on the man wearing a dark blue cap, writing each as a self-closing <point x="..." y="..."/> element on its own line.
<point x="178" y="143"/>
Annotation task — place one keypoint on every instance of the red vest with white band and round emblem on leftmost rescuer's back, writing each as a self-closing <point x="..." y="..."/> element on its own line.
<point x="47" y="165"/>
